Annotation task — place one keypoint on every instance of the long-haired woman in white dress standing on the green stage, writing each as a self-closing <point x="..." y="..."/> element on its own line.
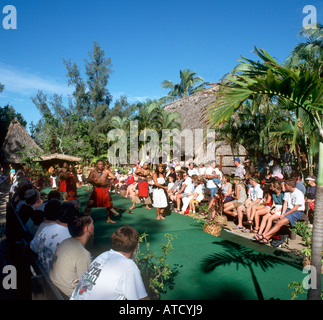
<point x="160" y="189"/>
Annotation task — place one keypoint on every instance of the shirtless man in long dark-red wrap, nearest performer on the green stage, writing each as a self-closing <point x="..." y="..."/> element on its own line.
<point x="100" y="196"/>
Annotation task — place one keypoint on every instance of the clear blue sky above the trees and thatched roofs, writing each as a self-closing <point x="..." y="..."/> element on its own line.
<point x="147" y="41"/>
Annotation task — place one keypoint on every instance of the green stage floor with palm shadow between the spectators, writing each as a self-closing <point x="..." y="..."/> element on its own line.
<point x="249" y="271"/>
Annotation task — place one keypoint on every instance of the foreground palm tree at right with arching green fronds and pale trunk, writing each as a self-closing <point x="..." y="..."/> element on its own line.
<point x="293" y="89"/>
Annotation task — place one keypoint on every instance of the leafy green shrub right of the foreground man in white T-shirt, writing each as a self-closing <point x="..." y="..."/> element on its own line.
<point x="156" y="272"/>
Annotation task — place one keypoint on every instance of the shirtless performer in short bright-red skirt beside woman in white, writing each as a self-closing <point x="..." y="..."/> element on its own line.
<point x="142" y="189"/>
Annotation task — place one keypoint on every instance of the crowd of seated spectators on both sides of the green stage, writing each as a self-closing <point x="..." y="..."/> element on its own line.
<point x="260" y="200"/>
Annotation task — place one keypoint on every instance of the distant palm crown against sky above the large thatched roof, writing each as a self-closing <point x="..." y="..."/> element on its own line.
<point x="189" y="84"/>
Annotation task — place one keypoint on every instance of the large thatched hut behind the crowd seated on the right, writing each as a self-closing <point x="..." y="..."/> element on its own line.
<point x="194" y="127"/>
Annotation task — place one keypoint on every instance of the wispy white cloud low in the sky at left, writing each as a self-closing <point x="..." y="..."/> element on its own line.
<point x="24" y="82"/>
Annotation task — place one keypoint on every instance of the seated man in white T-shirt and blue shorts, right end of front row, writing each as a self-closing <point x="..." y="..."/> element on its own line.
<point x="292" y="210"/>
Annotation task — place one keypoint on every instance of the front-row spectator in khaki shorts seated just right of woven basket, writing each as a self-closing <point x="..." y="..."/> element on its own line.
<point x="239" y="197"/>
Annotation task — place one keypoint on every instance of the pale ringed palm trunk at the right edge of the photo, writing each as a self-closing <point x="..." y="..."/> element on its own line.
<point x="317" y="238"/>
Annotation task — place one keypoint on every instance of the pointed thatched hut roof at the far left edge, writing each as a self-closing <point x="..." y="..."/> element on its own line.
<point x="17" y="139"/>
